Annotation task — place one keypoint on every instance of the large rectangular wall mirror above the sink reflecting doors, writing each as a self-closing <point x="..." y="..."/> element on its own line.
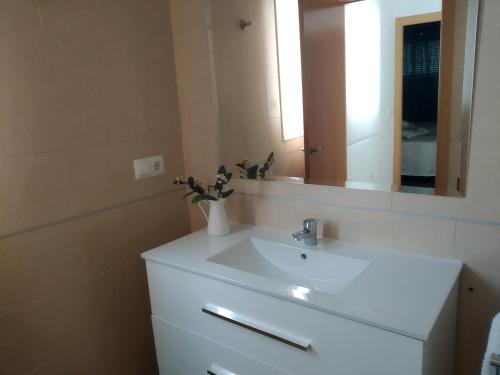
<point x="366" y="94"/>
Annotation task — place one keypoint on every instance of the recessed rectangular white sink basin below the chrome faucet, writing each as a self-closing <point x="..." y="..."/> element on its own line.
<point x="303" y="269"/>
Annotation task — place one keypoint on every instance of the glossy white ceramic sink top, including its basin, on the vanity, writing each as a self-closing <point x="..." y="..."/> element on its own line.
<point x="393" y="290"/>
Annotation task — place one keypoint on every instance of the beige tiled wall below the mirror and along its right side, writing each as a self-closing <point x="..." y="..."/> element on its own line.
<point x="465" y="229"/>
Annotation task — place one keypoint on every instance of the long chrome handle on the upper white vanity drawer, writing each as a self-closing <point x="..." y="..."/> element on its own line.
<point x="241" y="321"/>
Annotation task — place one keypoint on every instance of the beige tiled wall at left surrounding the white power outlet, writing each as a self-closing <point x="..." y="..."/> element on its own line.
<point x="85" y="88"/>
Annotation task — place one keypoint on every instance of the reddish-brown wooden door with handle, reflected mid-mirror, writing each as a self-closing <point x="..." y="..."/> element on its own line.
<point x="322" y="27"/>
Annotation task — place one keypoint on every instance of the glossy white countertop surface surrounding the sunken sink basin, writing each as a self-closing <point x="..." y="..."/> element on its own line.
<point x="399" y="292"/>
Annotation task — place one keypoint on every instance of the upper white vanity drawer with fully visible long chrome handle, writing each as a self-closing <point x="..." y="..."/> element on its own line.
<point x="328" y="344"/>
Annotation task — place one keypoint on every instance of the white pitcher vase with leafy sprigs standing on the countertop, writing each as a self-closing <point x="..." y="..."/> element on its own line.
<point x="214" y="196"/>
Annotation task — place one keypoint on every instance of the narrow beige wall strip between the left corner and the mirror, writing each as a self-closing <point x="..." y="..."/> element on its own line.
<point x="197" y="93"/>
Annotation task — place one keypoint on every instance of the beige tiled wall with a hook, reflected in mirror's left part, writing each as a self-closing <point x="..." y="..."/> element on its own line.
<point x="247" y="80"/>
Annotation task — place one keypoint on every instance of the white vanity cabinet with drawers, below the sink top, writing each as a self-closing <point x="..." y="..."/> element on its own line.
<point x="208" y="324"/>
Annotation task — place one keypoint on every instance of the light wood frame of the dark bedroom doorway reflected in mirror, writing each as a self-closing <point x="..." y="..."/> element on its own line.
<point x="401" y="23"/>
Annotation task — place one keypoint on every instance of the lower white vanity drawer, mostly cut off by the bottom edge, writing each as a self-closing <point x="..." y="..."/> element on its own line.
<point x="181" y="352"/>
